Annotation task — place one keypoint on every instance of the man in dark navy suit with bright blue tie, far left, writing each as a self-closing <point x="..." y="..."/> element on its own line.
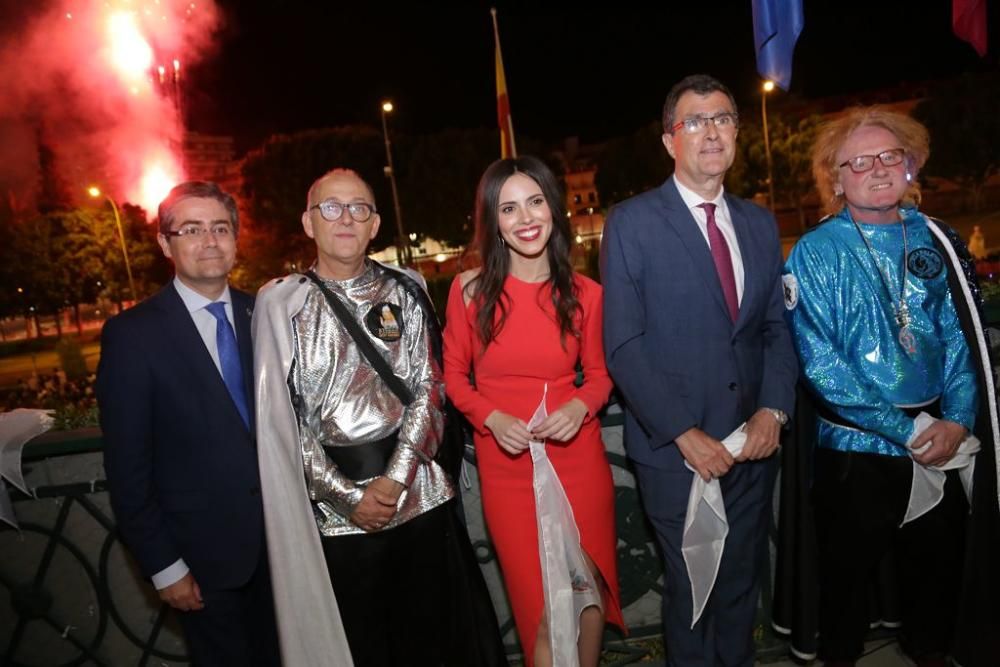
<point x="175" y="390"/>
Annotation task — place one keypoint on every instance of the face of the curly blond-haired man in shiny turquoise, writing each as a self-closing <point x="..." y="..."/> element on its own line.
<point x="871" y="196"/>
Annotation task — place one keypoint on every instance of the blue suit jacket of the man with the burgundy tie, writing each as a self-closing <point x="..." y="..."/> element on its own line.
<point x="671" y="346"/>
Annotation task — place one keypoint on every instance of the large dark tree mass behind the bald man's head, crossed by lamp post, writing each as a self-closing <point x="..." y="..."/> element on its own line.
<point x="436" y="175"/>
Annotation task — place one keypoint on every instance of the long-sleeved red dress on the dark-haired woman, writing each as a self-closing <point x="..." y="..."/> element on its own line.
<point x="510" y="376"/>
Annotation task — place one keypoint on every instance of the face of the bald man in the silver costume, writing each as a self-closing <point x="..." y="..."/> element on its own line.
<point x="341" y="244"/>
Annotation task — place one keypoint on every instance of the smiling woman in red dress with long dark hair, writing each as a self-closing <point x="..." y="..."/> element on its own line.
<point x="520" y="322"/>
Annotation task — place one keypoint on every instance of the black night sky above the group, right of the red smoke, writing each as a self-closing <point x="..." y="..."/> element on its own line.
<point x="594" y="73"/>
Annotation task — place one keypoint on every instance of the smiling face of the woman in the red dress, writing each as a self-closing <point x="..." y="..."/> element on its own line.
<point x="524" y="218"/>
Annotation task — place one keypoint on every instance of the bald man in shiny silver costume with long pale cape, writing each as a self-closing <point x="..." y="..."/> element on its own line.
<point x="355" y="504"/>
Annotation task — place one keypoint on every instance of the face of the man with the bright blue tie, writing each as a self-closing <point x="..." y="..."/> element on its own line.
<point x="202" y="262"/>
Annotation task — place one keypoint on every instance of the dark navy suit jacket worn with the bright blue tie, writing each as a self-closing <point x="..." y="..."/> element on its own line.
<point x="181" y="465"/>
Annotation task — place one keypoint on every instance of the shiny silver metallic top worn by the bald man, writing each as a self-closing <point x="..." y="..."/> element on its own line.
<point x="344" y="403"/>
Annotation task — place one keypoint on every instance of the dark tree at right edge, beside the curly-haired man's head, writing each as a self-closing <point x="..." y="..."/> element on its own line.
<point x="961" y="116"/>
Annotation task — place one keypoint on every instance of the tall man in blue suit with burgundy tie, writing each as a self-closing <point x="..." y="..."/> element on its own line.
<point x="696" y="341"/>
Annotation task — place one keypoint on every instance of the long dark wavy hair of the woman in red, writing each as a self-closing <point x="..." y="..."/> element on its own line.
<point x="487" y="287"/>
